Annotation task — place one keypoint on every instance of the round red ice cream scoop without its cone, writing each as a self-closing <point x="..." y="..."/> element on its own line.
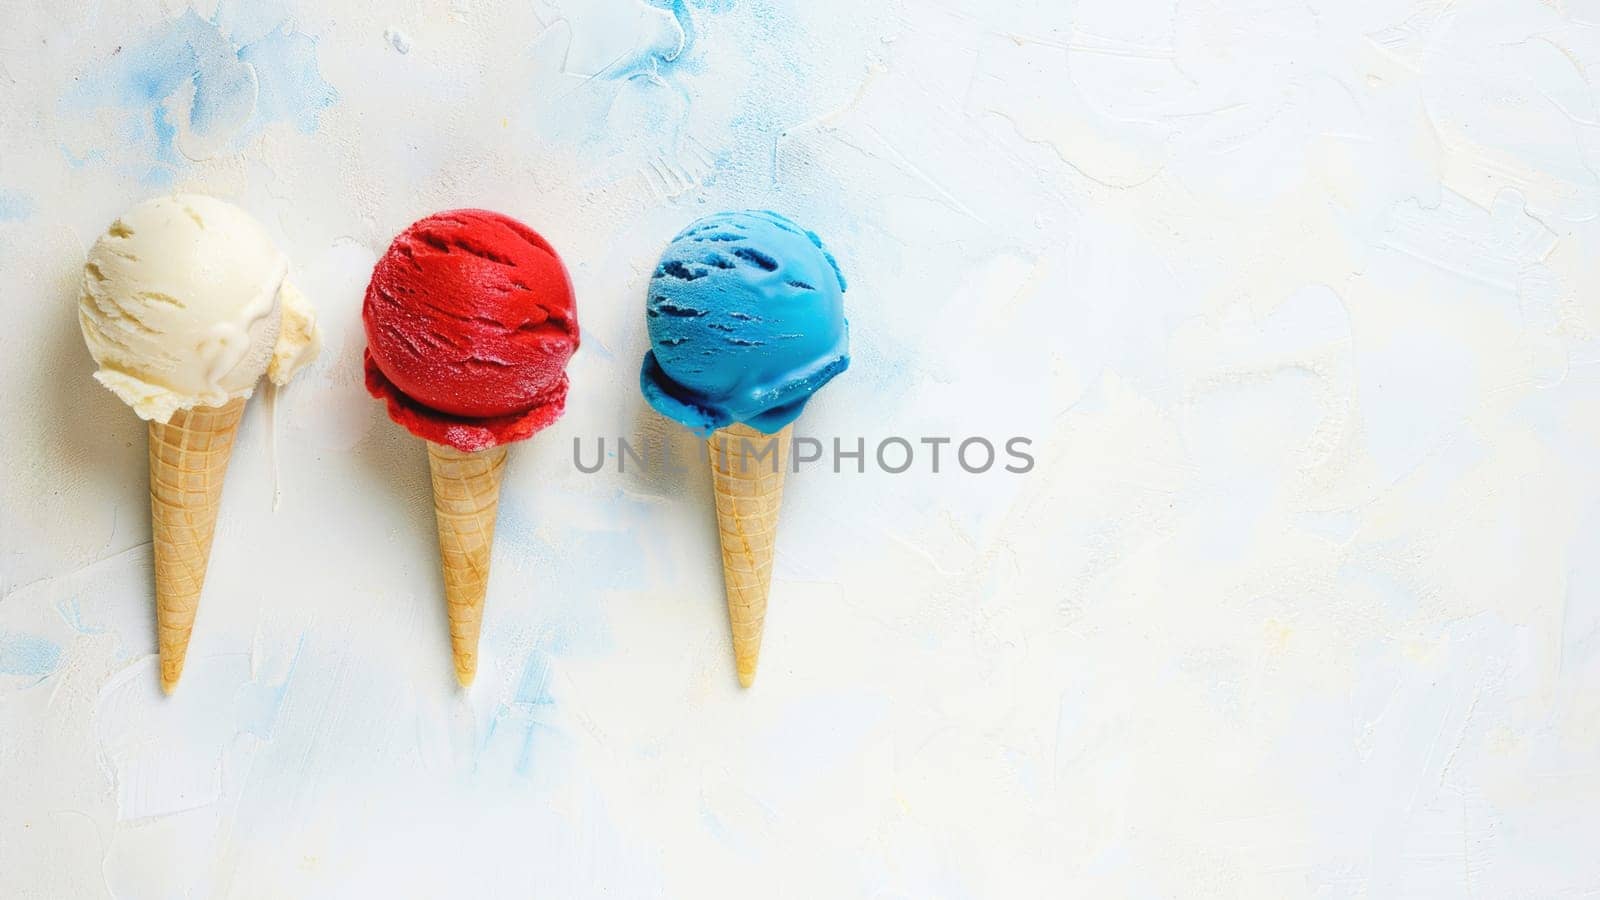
<point x="470" y="326"/>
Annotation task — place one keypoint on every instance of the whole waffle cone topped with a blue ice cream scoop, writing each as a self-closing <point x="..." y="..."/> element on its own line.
<point x="746" y="323"/>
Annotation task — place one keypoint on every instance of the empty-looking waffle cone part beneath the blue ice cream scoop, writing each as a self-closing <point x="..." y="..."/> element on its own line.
<point x="748" y="483"/>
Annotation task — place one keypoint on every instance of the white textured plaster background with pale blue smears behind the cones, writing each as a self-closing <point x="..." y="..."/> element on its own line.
<point x="1298" y="300"/>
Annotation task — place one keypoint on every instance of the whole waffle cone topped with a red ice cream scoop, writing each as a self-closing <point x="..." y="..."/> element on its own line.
<point x="470" y="324"/>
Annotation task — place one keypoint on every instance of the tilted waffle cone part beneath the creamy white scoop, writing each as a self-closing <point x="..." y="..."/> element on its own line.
<point x="188" y="460"/>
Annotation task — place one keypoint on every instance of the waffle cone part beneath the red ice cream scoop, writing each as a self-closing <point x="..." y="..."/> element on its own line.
<point x="466" y="497"/>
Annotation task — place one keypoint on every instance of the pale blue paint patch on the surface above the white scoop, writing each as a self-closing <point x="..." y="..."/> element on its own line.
<point x="241" y="82"/>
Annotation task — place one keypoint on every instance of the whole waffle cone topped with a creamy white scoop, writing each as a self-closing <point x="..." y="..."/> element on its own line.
<point x="185" y="305"/>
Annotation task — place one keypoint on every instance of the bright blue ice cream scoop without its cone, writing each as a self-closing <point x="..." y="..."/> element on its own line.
<point x="746" y="318"/>
